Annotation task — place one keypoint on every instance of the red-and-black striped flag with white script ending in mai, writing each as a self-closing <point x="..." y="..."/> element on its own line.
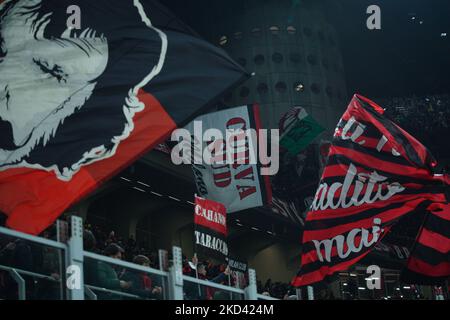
<point x="376" y="173"/>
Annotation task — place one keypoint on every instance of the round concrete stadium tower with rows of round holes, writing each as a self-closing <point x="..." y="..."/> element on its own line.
<point x="293" y="52"/>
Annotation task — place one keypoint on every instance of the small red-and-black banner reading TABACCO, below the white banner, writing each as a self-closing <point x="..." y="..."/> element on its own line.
<point x="210" y="234"/>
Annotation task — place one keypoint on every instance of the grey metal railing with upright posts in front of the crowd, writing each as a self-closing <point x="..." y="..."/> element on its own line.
<point x="72" y="258"/>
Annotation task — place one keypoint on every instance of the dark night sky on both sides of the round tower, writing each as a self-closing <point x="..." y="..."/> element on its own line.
<point x="403" y="58"/>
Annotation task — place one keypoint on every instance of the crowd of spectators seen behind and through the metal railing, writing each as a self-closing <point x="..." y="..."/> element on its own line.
<point x="27" y="256"/>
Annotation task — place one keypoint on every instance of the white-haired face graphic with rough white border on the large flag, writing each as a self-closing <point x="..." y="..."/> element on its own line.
<point x="51" y="71"/>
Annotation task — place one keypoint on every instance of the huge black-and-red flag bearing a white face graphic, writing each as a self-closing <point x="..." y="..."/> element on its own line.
<point x="87" y="87"/>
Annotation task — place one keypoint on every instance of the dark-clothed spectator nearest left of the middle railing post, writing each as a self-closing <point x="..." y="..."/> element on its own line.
<point x="141" y="283"/>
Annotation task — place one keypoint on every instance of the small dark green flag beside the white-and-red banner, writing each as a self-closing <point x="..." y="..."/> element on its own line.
<point x="300" y="129"/>
